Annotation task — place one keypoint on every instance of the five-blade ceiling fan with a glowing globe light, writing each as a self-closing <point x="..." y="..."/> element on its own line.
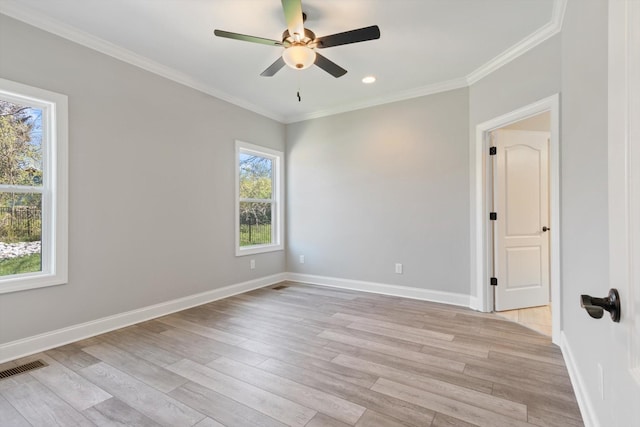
<point x="300" y="43"/>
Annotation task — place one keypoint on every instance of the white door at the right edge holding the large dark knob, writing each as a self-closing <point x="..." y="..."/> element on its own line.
<point x="623" y="389"/>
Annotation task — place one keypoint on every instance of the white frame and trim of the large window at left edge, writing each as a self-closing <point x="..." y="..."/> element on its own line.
<point x="54" y="190"/>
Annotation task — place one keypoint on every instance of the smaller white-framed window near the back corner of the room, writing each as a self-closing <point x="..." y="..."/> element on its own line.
<point x="258" y="199"/>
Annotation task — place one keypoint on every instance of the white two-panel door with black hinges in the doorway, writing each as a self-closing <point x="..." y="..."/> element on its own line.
<point x="521" y="201"/>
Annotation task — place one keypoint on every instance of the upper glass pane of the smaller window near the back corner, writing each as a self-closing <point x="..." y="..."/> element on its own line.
<point x="255" y="177"/>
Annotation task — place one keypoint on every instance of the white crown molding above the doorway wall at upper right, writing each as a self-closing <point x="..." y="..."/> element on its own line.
<point x="545" y="32"/>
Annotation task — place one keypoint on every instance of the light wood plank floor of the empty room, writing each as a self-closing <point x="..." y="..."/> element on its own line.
<point x="301" y="356"/>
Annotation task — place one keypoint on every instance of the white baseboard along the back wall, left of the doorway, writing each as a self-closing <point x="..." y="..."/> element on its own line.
<point x="382" y="288"/>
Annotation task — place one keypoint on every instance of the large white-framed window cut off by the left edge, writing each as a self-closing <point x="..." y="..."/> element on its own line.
<point x="33" y="187"/>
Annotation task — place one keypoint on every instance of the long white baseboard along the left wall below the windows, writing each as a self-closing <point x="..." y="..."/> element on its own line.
<point x="35" y="344"/>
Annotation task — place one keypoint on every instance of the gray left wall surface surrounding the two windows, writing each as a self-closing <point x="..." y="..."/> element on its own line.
<point x="151" y="185"/>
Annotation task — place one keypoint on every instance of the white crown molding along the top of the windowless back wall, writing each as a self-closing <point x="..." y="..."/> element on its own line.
<point x="398" y="96"/>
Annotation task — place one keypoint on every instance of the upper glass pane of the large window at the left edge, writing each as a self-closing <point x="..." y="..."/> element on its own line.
<point x="20" y="144"/>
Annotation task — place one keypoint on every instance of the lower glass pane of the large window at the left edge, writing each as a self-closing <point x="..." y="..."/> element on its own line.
<point x="20" y="233"/>
